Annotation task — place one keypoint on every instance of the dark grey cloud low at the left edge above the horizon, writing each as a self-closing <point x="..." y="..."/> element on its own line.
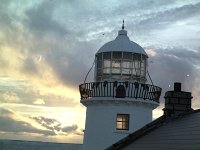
<point x="8" y="124"/>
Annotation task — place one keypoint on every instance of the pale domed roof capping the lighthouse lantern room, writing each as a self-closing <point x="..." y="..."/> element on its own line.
<point x="122" y="43"/>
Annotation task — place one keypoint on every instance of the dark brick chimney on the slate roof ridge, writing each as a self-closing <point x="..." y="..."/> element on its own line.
<point x="177" y="101"/>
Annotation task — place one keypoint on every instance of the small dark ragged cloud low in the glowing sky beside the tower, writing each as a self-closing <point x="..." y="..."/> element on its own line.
<point x="54" y="125"/>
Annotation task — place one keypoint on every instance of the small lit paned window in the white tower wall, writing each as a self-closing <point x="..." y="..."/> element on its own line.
<point x="122" y="122"/>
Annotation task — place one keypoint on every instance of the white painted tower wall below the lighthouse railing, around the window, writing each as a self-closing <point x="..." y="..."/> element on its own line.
<point x="100" y="129"/>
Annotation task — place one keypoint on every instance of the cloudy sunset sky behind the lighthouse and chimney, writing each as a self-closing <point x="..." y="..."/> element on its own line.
<point x="48" y="46"/>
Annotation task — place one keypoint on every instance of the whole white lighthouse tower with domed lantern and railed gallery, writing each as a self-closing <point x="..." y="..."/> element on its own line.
<point x="119" y="101"/>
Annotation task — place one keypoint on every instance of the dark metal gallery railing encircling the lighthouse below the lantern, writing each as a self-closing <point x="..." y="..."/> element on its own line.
<point x="120" y="90"/>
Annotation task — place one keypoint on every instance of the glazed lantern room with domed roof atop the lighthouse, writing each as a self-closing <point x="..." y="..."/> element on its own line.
<point x="121" y="60"/>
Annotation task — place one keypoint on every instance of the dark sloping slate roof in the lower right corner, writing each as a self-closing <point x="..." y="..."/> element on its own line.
<point x="167" y="132"/>
